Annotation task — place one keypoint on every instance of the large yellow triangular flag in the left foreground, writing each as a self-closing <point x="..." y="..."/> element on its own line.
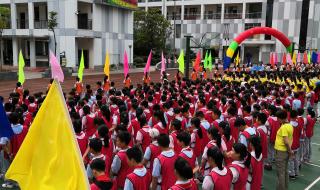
<point x="49" y="157"/>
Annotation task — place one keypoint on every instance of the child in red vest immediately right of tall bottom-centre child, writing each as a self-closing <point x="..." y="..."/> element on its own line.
<point x="186" y="152"/>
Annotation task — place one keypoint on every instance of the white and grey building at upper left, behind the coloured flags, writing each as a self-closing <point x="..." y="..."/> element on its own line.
<point x="89" y="25"/>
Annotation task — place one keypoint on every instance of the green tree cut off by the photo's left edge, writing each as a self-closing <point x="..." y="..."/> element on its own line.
<point x="4" y="23"/>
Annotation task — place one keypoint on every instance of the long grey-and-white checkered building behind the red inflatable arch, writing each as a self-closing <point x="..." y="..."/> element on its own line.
<point x="215" y="23"/>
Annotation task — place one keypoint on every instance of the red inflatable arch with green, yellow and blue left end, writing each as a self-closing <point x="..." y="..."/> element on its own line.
<point x="253" y="31"/>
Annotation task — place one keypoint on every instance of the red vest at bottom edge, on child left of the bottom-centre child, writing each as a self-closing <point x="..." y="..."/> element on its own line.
<point x="140" y="182"/>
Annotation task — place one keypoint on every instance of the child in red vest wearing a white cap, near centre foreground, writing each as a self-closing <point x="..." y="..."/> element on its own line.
<point x="153" y="150"/>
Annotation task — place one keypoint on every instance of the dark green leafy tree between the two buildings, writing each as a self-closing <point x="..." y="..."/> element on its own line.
<point x="151" y="30"/>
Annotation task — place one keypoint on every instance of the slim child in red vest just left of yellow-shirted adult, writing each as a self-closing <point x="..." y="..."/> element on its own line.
<point x="263" y="134"/>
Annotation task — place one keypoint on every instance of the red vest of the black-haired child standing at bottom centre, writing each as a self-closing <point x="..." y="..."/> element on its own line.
<point x="167" y="167"/>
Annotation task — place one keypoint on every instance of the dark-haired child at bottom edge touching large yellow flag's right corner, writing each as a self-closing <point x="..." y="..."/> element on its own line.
<point x="101" y="180"/>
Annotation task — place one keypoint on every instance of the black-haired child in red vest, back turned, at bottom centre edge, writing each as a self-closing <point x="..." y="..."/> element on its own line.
<point x="163" y="165"/>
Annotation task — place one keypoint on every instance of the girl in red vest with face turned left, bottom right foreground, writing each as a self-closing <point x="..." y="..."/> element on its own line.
<point x="240" y="166"/>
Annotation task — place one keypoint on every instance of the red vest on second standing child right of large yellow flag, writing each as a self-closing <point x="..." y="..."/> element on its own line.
<point x="124" y="169"/>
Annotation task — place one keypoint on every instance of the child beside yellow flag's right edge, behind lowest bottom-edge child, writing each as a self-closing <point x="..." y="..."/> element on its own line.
<point x="95" y="147"/>
